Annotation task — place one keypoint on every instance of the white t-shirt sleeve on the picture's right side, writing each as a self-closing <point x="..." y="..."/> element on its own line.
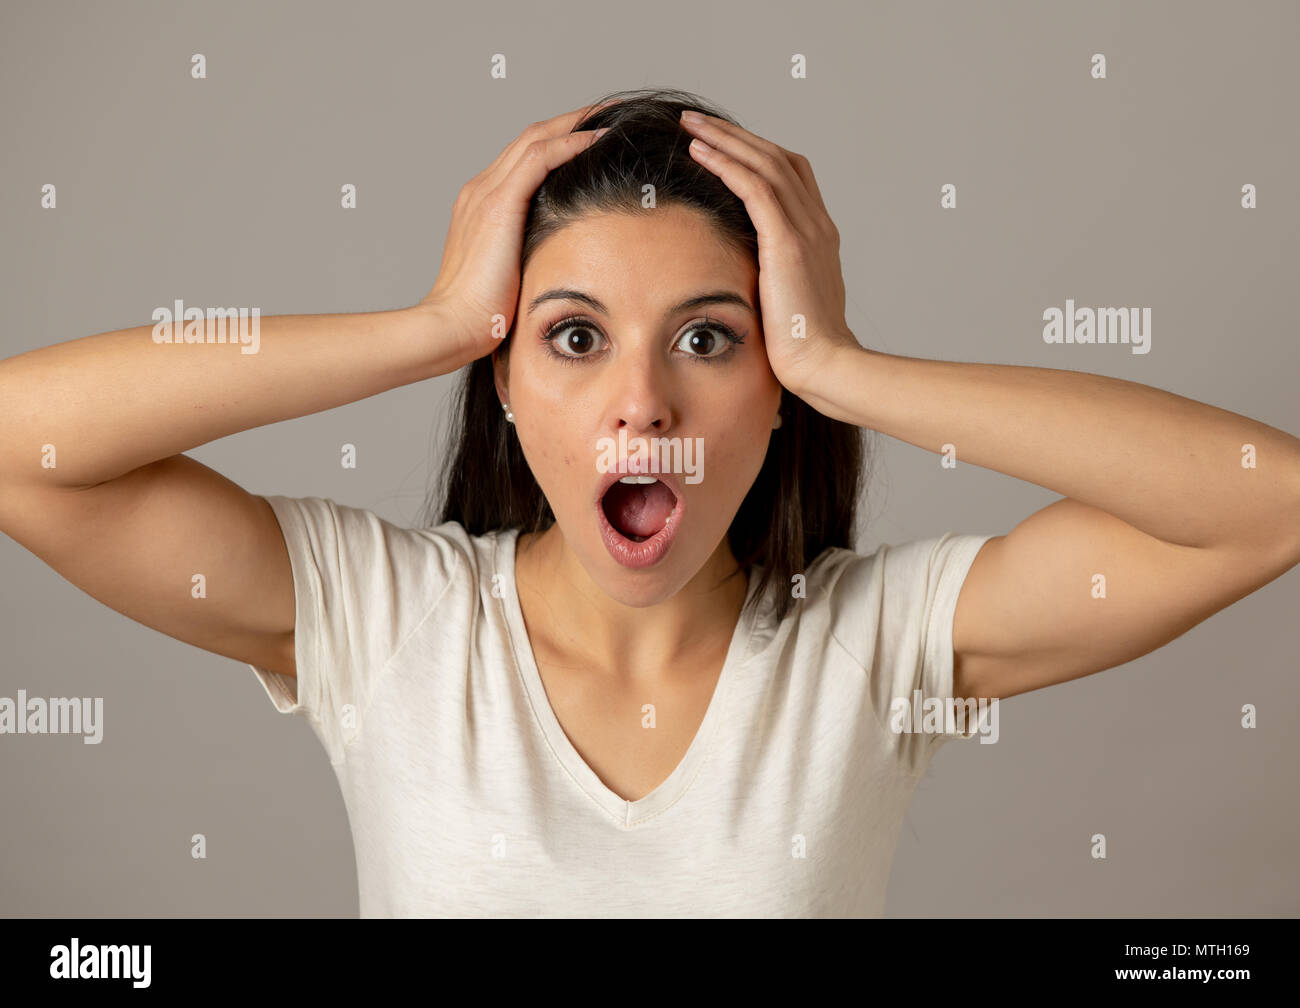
<point x="895" y="615"/>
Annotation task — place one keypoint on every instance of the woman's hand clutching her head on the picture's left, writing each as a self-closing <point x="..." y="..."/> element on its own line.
<point x="480" y="276"/>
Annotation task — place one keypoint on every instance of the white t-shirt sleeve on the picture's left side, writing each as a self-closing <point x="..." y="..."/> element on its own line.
<point x="361" y="587"/>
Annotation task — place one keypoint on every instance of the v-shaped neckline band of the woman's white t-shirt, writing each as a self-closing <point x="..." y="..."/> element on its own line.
<point x="625" y="814"/>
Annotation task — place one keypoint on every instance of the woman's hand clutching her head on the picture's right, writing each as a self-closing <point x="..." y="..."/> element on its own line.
<point x="799" y="249"/>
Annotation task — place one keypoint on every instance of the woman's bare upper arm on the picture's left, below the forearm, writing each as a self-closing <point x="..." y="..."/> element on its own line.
<point x="141" y="542"/>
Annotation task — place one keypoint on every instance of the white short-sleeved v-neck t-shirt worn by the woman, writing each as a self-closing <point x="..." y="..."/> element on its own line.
<point x="466" y="799"/>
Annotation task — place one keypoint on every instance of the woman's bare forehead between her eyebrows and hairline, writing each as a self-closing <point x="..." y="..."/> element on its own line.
<point x="644" y="258"/>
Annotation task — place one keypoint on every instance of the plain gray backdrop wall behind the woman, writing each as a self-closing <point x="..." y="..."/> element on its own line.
<point x="1123" y="192"/>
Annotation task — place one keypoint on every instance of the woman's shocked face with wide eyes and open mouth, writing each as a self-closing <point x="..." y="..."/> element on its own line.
<point x="638" y="366"/>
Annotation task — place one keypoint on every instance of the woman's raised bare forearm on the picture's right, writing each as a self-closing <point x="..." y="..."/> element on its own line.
<point x="1167" y="465"/>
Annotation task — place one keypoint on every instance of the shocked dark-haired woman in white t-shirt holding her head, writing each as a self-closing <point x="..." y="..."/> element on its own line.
<point x="601" y="685"/>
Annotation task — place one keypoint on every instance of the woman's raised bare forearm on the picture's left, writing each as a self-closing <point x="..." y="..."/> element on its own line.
<point x="112" y="403"/>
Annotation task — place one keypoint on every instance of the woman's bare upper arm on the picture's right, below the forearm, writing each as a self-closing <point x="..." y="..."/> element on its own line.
<point x="1074" y="590"/>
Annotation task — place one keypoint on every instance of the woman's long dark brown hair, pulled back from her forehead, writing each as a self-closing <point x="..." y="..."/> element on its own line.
<point x="804" y="500"/>
